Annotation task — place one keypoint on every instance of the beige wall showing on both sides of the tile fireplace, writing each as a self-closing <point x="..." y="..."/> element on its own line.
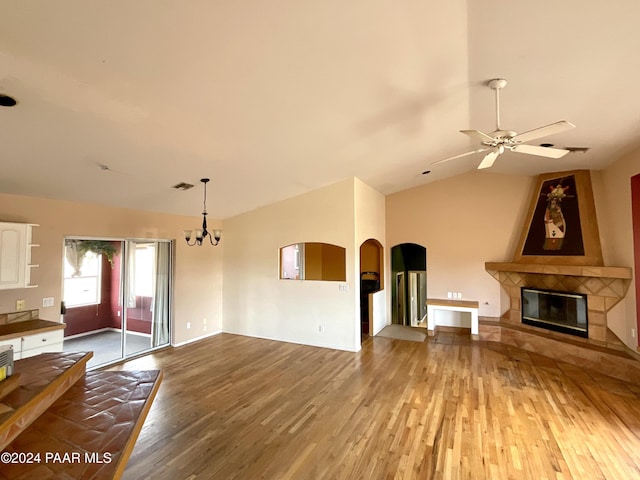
<point x="477" y="217"/>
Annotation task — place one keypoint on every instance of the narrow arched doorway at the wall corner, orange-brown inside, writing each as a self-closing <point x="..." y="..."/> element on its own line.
<point x="371" y="281"/>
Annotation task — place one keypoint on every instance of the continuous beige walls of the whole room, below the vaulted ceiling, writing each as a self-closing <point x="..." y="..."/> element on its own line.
<point x="463" y="222"/>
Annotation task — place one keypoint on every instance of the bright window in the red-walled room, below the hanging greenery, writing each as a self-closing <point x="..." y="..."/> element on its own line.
<point x="82" y="286"/>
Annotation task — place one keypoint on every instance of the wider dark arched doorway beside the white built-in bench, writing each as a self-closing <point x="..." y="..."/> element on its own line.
<point x="409" y="285"/>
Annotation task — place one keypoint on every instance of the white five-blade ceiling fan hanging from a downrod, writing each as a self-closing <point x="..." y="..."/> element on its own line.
<point x="500" y="140"/>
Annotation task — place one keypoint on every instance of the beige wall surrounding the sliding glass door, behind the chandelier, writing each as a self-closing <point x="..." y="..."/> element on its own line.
<point x="198" y="270"/>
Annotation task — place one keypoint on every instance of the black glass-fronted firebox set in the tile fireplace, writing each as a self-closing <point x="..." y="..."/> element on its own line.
<point x="560" y="311"/>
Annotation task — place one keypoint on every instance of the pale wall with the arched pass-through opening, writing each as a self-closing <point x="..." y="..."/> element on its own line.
<point x="257" y="303"/>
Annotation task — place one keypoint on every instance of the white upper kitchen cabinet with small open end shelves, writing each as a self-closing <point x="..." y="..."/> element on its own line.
<point x="15" y="255"/>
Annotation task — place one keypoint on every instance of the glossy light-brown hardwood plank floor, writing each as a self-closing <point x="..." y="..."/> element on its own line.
<point x="233" y="407"/>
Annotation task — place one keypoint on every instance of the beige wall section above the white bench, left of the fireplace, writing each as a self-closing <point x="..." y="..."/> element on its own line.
<point x="463" y="222"/>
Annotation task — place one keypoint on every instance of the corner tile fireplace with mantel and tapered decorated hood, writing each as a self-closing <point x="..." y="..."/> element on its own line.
<point x="547" y="276"/>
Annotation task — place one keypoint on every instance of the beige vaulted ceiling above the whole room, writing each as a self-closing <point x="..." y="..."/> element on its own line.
<point x="119" y="101"/>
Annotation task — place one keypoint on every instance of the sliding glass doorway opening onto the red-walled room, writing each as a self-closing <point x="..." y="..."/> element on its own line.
<point x="116" y="297"/>
